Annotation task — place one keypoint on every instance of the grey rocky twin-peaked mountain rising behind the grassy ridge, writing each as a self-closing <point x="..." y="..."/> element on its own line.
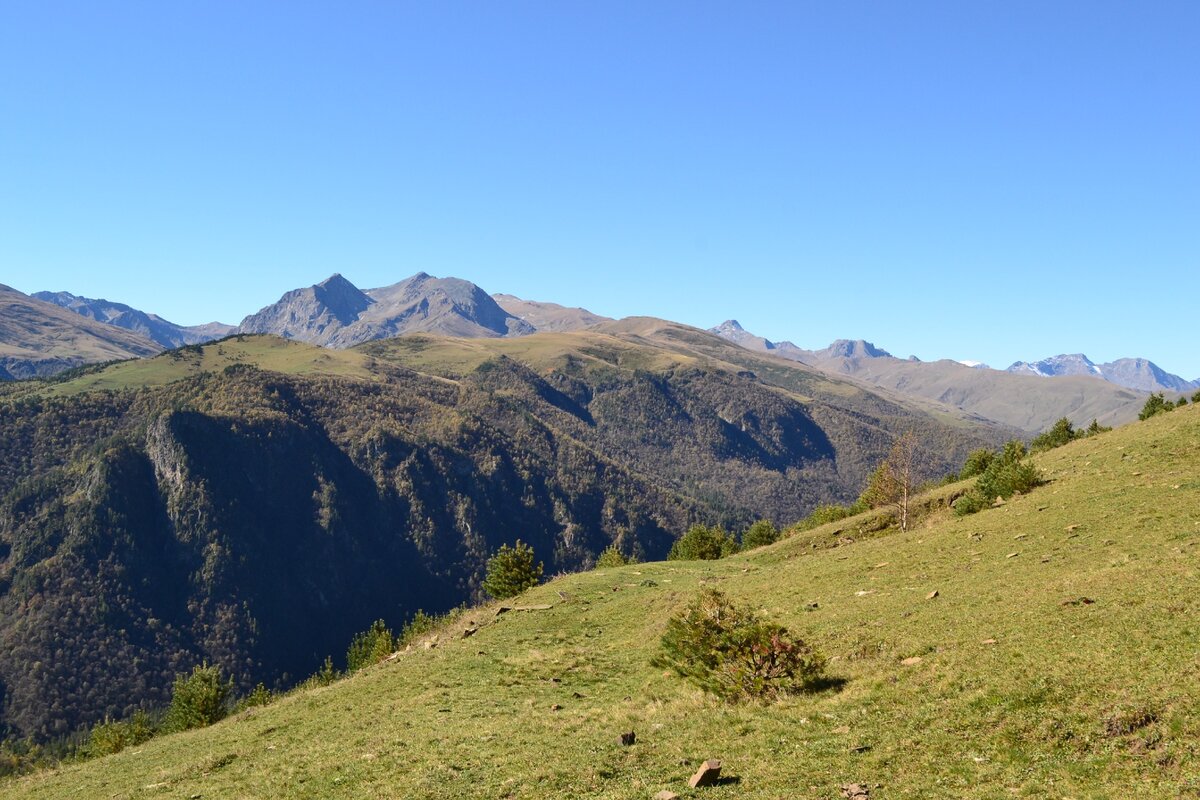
<point x="337" y="314"/>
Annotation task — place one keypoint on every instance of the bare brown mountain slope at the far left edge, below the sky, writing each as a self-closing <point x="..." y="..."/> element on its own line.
<point x="39" y="339"/>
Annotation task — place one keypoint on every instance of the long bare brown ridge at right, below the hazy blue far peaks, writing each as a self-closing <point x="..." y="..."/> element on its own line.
<point x="1022" y="401"/>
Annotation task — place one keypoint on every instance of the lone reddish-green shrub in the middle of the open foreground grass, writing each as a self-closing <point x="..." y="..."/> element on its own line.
<point x="733" y="654"/>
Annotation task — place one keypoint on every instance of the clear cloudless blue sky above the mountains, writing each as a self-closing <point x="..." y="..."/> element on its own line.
<point x="970" y="181"/>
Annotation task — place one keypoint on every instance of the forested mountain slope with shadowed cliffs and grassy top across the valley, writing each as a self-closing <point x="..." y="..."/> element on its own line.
<point x="255" y="502"/>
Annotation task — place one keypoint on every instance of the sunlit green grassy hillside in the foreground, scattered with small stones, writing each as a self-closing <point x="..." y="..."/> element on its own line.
<point x="1058" y="660"/>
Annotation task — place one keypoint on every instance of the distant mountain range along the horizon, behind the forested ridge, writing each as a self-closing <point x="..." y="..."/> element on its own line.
<point x="337" y="314"/>
